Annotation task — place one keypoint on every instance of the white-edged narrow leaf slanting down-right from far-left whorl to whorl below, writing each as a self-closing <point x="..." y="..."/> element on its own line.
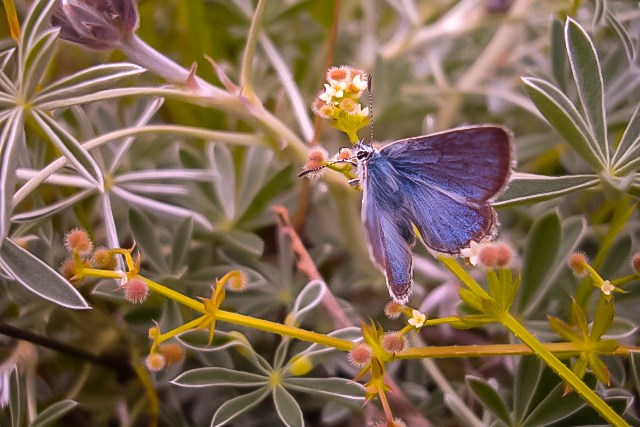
<point x="74" y="152"/>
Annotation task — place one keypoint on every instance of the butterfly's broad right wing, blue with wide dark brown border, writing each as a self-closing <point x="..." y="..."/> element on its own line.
<point x="447" y="181"/>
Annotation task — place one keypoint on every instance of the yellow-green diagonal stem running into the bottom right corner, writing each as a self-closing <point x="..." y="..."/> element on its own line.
<point x="562" y="370"/>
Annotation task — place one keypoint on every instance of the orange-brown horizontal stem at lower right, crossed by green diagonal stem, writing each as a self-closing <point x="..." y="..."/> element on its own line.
<point x="563" y="350"/>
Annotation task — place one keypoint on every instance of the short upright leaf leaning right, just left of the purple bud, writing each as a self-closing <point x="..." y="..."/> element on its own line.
<point x="36" y="62"/>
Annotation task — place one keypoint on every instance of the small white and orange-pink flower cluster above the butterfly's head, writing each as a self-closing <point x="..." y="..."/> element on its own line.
<point x="339" y="101"/>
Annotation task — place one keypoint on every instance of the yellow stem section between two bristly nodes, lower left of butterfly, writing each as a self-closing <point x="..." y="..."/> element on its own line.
<point x="290" y="331"/>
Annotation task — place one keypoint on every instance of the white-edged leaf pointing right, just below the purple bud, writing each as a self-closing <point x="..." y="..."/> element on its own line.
<point x="87" y="81"/>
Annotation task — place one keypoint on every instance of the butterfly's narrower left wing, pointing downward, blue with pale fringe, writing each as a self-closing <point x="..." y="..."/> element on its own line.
<point x="389" y="231"/>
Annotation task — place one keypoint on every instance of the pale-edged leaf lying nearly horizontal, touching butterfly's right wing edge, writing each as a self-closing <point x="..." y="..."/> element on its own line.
<point x="527" y="188"/>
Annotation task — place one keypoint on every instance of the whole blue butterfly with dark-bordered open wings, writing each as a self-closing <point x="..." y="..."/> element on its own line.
<point x="442" y="183"/>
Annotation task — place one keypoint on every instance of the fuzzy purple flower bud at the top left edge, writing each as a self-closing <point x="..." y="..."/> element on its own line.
<point x="97" y="24"/>
